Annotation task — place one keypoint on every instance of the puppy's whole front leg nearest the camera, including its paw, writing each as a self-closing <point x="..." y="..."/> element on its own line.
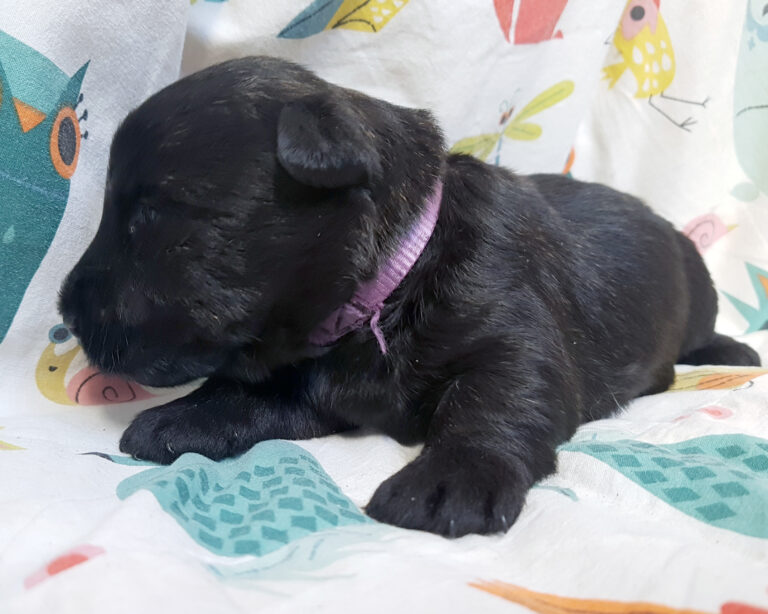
<point x="492" y="437"/>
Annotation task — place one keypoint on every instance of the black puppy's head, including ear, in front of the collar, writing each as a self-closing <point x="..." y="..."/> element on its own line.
<point x="243" y="204"/>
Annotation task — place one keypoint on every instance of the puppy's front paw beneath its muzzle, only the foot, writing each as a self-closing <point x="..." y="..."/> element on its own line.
<point x="164" y="433"/>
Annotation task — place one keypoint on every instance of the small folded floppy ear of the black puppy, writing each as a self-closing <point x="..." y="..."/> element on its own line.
<point x="322" y="142"/>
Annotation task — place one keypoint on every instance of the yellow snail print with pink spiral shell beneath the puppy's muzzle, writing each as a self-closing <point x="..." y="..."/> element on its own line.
<point x="64" y="377"/>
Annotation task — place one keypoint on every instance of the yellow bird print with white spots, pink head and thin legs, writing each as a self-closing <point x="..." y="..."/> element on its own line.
<point x="643" y="41"/>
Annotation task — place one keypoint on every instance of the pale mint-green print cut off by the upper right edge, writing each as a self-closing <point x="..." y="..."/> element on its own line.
<point x="751" y="96"/>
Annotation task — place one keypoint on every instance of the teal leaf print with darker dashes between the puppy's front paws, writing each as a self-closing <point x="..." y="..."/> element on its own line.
<point x="253" y="504"/>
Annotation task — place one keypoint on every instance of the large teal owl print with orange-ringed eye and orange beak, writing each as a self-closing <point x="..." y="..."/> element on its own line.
<point x="40" y="139"/>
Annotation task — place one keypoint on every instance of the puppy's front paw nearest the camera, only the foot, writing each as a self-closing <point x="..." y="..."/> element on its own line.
<point x="451" y="492"/>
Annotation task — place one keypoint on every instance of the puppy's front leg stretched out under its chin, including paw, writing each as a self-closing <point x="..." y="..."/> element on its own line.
<point x="224" y="418"/>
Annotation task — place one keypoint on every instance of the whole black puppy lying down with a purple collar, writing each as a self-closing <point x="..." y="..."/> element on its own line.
<point x="255" y="219"/>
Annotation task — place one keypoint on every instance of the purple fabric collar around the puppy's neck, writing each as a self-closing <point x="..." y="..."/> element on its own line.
<point x="366" y="303"/>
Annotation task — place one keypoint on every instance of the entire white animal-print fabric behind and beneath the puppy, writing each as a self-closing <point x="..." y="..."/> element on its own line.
<point x="662" y="508"/>
